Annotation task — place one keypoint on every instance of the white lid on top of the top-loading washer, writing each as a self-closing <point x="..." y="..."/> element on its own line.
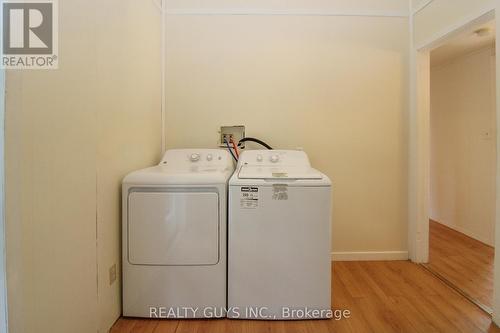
<point x="278" y="172"/>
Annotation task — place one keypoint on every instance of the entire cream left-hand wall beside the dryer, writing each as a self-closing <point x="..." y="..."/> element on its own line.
<point x="71" y="135"/>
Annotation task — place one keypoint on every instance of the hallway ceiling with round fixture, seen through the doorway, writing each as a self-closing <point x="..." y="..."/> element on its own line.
<point x="464" y="43"/>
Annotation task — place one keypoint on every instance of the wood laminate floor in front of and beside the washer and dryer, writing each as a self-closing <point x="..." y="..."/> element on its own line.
<point x="392" y="296"/>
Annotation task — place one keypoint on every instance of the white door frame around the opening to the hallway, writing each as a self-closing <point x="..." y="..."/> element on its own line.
<point x="419" y="141"/>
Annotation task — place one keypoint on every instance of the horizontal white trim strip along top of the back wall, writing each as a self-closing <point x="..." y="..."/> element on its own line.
<point x="283" y="12"/>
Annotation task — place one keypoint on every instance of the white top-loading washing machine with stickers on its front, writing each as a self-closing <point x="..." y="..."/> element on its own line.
<point x="279" y="264"/>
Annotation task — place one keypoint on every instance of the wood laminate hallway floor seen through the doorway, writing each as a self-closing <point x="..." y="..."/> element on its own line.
<point x="463" y="261"/>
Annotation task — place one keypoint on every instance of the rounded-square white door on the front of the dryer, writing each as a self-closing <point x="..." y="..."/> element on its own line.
<point x="173" y="228"/>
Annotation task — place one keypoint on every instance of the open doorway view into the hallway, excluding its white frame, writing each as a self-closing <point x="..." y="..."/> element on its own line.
<point x="463" y="163"/>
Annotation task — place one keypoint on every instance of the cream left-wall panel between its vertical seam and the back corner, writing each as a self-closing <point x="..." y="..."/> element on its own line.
<point x="128" y="95"/>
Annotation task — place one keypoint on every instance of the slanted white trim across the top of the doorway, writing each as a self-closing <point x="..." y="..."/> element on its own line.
<point x="481" y="16"/>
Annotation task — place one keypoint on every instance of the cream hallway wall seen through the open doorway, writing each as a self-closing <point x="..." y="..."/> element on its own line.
<point x="462" y="183"/>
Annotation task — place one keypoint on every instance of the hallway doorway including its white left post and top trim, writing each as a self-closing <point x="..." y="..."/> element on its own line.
<point x="453" y="140"/>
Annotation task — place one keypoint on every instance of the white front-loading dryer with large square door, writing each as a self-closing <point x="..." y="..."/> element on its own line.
<point x="174" y="236"/>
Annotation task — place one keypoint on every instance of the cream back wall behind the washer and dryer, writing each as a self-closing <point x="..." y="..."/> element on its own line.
<point x="334" y="85"/>
